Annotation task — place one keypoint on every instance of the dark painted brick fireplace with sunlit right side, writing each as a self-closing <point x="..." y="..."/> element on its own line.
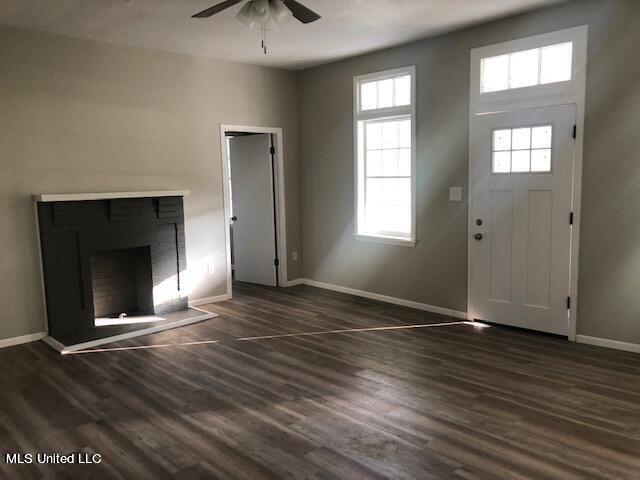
<point x="110" y="257"/>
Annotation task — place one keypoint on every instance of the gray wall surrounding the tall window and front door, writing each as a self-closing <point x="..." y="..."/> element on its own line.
<point x="435" y="271"/>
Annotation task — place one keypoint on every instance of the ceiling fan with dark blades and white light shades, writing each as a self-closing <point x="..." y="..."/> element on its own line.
<point x="266" y="13"/>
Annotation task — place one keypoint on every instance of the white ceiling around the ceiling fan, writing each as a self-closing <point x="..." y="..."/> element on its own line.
<point x="348" y="27"/>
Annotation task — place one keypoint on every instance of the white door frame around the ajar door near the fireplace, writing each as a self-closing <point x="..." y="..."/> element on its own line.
<point x="278" y="176"/>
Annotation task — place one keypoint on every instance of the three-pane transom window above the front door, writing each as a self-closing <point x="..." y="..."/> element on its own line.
<point x="526" y="68"/>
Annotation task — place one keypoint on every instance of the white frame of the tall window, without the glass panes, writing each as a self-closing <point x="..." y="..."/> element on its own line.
<point x="360" y="117"/>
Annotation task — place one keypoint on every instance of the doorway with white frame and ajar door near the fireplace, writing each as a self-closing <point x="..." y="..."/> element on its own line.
<point x="254" y="205"/>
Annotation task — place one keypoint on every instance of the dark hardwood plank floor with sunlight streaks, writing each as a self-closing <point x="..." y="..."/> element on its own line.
<point x="205" y="401"/>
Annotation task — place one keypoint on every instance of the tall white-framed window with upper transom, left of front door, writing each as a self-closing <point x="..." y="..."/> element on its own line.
<point x="384" y="117"/>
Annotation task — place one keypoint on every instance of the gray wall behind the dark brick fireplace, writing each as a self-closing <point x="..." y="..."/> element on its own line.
<point x="85" y="116"/>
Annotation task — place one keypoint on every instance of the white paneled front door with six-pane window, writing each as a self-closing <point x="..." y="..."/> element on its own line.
<point x="521" y="173"/>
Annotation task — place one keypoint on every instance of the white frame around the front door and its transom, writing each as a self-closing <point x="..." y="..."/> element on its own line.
<point x="563" y="93"/>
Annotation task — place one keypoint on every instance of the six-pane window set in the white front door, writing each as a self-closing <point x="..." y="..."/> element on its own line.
<point x="522" y="150"/>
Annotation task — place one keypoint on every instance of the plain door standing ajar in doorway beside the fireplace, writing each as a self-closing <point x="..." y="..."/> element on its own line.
<point x="254" y="236"/>
